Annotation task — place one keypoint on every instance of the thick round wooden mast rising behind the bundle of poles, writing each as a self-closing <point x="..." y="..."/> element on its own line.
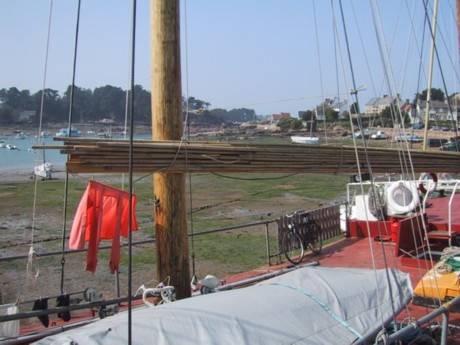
<point x="169" y="188"/>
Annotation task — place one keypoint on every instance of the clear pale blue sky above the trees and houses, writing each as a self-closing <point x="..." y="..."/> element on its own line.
<point x="272" y="56"/>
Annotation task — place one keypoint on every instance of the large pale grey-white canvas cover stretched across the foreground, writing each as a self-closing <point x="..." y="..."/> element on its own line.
<point x="311" y="305"/>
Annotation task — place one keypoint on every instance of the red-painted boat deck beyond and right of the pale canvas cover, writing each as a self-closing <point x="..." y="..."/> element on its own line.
<point x="368" y="252"/>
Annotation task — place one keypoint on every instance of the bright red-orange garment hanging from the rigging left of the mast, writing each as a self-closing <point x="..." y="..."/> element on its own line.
<point x="103" y="214"/>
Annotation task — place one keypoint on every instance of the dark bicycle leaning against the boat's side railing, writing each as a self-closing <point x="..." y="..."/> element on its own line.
<point x="300" y="236"/>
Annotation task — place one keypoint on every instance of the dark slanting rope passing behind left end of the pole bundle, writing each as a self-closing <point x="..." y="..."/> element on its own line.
<point x="66" y="184"/>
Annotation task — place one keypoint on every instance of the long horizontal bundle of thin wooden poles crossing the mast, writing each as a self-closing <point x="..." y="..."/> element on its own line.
<point x="106" y="155"/>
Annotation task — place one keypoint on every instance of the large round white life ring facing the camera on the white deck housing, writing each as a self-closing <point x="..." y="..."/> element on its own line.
<point x="400" y="189"/>
